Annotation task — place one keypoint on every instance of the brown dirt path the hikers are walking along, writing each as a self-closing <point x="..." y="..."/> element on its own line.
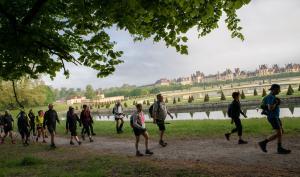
<point x="216" y="157"/>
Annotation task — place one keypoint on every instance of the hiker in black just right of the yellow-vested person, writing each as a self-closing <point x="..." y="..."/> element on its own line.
<point x="50" y="119"/>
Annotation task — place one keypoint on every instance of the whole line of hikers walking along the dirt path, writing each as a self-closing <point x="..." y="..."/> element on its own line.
<point x="30" y="123"/>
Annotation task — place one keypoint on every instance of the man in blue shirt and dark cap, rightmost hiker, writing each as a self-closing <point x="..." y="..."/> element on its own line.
<point x="273" y="110"/>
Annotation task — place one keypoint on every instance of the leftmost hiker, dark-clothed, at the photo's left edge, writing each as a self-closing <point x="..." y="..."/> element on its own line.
<point x="8" y="125"/>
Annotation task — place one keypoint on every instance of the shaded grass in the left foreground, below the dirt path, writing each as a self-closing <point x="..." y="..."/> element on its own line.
<point x="38" y="160"/>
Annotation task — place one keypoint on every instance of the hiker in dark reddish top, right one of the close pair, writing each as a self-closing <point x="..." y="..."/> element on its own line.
<point x="86" y="120"/>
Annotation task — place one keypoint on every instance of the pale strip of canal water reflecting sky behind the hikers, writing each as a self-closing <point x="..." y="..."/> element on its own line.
<point x="222" y="114"/>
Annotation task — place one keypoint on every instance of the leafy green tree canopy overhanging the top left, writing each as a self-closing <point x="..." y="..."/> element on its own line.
<point x="41" y="36"/>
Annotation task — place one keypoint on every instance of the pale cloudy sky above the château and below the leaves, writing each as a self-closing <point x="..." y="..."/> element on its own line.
<point x="272" y="36"/>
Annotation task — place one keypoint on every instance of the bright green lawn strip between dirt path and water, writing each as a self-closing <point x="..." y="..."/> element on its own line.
<point x="181" y="129"/>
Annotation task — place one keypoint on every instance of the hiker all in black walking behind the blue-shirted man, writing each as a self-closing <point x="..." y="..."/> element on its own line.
<point x="234" y="112"/>
